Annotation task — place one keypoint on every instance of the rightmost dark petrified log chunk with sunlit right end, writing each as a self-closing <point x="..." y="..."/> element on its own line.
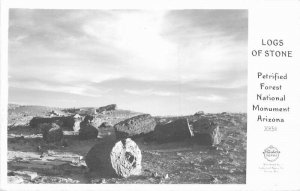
<point x="206" y="132"/>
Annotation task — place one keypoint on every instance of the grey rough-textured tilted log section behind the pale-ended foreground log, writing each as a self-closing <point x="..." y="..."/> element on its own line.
<point x="135" y="126"/>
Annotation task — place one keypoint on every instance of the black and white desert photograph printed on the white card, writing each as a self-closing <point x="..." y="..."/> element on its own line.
<point x="127" y="96"/>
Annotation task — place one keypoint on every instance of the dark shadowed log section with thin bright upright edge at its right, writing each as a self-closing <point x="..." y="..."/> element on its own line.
<point x="178" y="130"/>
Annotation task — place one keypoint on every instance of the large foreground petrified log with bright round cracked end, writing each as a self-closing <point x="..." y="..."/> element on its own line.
<point x="115" y="159"/>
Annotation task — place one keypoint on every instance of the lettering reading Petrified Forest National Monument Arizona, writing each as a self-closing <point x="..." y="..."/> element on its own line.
<point x="270" y="92"/>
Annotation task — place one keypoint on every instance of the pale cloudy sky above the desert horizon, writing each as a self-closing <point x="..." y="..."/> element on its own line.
<point x="162" y="62"/>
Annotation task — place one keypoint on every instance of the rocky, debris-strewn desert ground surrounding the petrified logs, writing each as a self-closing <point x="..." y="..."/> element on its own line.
<point x="32" y="160"/>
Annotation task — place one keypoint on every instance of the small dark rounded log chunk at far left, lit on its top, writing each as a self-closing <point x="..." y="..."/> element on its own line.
<point x="52" y="132"/>
